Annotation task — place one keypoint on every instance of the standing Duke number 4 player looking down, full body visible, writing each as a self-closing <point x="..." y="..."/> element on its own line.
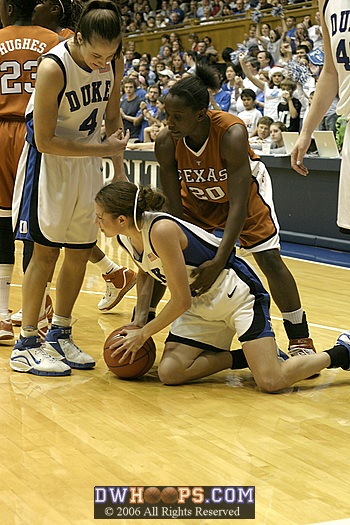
<point x="60" y="172"/>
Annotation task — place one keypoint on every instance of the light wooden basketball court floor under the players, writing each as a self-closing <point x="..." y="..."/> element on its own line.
<point x="60" y="437"/>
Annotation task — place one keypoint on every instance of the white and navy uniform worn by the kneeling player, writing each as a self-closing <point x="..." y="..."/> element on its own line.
<point x="236" y="302"/>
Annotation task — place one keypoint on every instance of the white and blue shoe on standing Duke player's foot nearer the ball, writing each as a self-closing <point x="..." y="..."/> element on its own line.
<point x="59" y="342"/>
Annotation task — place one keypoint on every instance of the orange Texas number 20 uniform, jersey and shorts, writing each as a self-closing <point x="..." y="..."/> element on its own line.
<point x="204" y="189"/>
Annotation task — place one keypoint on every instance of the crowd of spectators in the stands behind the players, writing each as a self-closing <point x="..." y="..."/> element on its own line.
<point x="268" y="80"/>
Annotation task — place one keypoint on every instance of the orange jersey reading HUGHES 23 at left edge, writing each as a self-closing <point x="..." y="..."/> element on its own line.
<point x="20" y="48"/>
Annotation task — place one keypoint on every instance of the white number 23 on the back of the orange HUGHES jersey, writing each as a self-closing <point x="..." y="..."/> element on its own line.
<point x="12" y="74"/>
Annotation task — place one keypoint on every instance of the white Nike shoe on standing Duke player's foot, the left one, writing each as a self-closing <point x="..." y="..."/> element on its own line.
<point x="29" y="356"/>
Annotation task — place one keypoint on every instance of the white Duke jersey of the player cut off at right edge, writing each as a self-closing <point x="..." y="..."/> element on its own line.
<point x="337" y="18"/>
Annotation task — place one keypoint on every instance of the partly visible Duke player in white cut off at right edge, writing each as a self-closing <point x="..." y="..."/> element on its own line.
<point x="334" y="80"/>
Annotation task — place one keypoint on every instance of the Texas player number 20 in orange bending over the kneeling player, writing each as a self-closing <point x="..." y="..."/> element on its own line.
<point x="213" y="179"/>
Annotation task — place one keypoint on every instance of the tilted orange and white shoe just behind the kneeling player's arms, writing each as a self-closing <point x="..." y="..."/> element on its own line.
<point x="118" y="283"/>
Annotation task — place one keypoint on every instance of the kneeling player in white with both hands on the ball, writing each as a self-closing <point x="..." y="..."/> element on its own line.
<point x="168" y="249"/>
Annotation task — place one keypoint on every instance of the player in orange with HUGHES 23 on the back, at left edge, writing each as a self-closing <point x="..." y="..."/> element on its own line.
<point x="21" y="44"/>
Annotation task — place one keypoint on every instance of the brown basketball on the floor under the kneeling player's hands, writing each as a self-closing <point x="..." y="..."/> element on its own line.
<point x="144" y="358"/>
